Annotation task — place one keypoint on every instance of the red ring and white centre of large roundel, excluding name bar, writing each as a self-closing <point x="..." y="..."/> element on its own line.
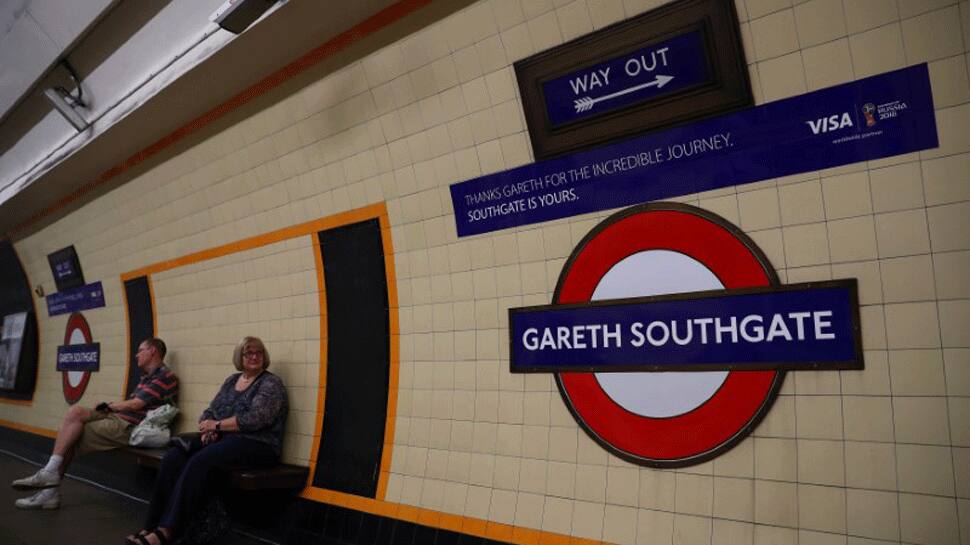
<point x="676" y="418"/>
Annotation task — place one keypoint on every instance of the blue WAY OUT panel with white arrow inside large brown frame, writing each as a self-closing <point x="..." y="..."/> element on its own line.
<point x="648" y="73"/>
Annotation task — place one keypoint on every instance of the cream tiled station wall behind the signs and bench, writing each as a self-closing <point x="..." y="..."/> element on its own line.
<point x="877" y="456"/>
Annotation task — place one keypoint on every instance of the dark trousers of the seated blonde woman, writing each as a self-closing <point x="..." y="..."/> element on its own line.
<point x="184" y="484"/>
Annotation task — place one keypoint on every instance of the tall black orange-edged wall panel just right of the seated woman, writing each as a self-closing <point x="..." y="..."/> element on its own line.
<point x="358" y="359"/>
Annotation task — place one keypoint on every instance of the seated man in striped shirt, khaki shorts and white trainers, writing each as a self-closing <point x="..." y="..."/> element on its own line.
<point x="109" y="426"/>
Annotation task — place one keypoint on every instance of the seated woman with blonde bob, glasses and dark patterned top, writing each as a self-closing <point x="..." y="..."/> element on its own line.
<point x="243" y="427"/>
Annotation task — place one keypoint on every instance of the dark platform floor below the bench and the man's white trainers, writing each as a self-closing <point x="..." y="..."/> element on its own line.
<point x="89" y="515"/>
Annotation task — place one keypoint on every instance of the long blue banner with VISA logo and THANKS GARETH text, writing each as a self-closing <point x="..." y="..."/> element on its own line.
<point x="875" y="117"/>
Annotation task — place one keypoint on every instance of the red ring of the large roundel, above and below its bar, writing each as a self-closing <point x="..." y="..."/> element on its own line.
<point x="745" y="396"/>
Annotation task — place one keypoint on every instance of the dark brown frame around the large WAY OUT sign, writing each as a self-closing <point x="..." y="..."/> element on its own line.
<point x="727" y="90"/>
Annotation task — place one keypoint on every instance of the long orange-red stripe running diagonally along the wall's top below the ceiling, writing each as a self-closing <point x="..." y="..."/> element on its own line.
<point x="328" y="49"/>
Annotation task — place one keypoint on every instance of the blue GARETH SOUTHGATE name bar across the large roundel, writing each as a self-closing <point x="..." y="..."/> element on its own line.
<point x="797" y="326"/>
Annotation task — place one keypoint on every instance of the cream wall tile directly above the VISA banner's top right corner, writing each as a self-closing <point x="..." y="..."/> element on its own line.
<point x="932" y="36"/>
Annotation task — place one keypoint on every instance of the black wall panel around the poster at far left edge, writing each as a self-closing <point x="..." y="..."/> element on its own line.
<point x="15" y="296"/>
